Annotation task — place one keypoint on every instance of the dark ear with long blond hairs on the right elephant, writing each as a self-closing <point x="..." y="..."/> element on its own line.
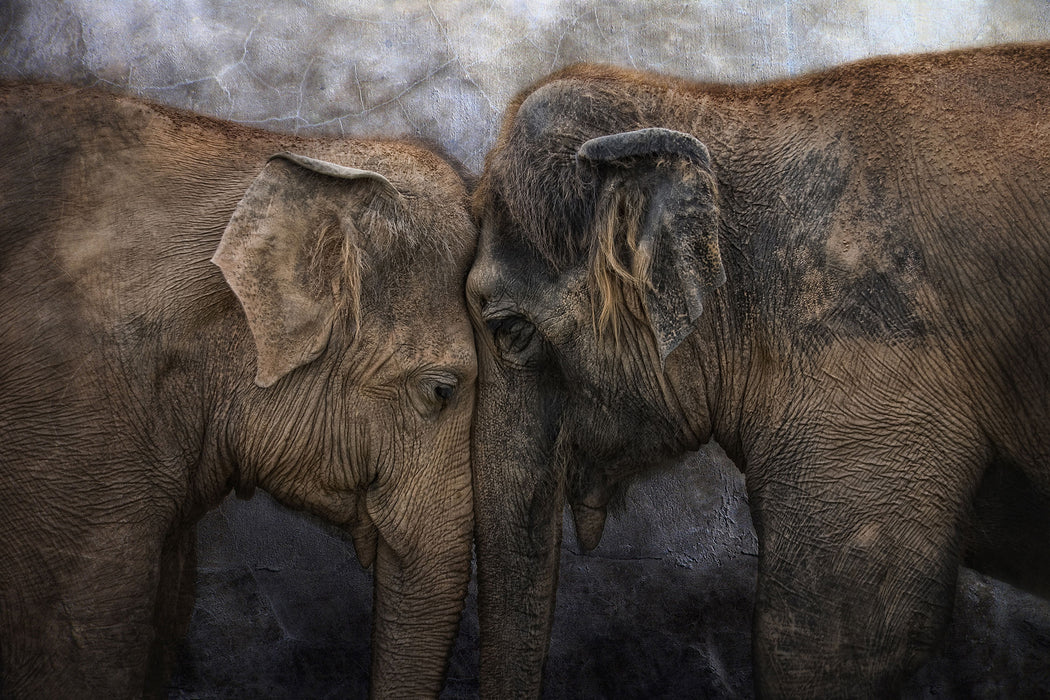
<point x="658" y="227"/>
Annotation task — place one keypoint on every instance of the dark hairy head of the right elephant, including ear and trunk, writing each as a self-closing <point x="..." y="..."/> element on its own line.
<point x="599" y="249"/>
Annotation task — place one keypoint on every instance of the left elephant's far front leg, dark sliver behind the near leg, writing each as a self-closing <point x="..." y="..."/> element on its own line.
<point x="176" y="593"/>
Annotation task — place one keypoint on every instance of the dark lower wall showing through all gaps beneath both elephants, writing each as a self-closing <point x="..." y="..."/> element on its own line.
<point x="662" y="609"/>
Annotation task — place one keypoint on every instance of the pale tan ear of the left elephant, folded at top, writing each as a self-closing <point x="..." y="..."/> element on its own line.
<point x="291" y="254"/>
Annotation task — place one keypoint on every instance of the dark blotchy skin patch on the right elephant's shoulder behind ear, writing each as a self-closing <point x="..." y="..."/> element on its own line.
<point x="870" y="298"/>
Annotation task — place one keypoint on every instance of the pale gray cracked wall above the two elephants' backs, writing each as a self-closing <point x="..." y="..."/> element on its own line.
<point x="445" y="71"/>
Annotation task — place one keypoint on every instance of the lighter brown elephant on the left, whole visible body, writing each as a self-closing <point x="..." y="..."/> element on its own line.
<point x="194" y="307"/>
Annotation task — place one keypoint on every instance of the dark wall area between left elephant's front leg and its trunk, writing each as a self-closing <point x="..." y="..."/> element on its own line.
<point x="284" y="609"/>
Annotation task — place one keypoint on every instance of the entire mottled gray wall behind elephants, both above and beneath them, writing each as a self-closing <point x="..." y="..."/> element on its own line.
<point x="662" y="609"/>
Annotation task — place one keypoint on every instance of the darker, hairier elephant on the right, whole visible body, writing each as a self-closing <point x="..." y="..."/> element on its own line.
<point x="839" y="278"/>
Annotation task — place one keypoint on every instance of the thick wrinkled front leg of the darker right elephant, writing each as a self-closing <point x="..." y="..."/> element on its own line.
<point x="858" y="566"/>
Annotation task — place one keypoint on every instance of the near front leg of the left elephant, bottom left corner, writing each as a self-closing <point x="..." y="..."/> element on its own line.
<point x="79" y="613"/>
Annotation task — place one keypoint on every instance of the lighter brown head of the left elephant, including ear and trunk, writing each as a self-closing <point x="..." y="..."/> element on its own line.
<point x="351" y="282"/>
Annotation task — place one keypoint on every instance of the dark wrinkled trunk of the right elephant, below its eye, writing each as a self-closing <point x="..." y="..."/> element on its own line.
<point x="518" y="511"/>
